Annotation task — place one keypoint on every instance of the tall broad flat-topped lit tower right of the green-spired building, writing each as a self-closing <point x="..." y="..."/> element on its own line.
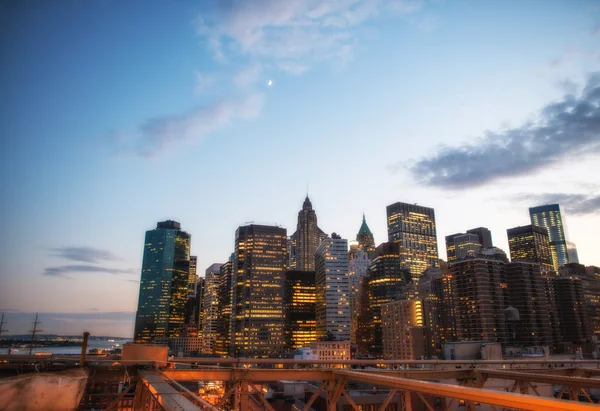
<point x="413" y="228"/>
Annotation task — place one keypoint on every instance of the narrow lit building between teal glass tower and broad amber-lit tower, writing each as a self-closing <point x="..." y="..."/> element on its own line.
<point x="210" y="317"/>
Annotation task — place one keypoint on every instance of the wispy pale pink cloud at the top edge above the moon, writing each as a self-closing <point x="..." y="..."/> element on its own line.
<point x="276" y="30"/>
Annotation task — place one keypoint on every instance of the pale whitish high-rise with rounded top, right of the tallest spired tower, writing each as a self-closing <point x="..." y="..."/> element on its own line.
<point x="333" y="289"/>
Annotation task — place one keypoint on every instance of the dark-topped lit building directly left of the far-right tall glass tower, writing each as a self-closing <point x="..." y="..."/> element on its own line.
<point x="530" y="243"/>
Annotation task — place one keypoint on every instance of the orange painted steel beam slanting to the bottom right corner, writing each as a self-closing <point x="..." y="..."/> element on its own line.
<point x="518" y="401"/>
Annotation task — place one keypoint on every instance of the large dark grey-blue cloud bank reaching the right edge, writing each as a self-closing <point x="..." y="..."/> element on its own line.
<point x="566" y="128"/>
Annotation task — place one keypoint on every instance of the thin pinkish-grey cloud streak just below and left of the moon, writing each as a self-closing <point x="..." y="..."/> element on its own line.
<point x="158" y="133"/>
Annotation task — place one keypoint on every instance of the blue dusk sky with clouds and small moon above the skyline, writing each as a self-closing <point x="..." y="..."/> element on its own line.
<point x="115" y="115"/>
